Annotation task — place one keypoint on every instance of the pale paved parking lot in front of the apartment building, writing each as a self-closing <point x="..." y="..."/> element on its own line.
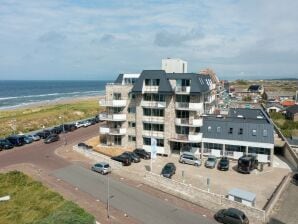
<point x="261" y="183"/>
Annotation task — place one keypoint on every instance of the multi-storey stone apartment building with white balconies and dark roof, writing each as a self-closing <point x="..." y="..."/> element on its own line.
<point x="165" y="106"/>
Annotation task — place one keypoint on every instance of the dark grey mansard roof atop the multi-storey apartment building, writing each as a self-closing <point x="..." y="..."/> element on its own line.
<point x="199" y="83"/>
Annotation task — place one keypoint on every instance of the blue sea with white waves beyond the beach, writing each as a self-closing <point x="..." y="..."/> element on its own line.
<point x="14" y="94"/>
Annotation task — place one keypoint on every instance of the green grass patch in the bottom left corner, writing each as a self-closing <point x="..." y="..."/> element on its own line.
<point x="33" y="203"/>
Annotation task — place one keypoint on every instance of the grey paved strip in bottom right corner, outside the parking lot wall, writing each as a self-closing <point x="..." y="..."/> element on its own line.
<point x="287" y="212"/>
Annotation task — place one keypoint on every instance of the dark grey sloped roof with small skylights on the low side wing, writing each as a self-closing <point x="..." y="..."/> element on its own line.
<point x="219" y="128"/>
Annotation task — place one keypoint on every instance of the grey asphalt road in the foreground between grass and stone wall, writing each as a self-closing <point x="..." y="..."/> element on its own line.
<point x="134" y="202"/>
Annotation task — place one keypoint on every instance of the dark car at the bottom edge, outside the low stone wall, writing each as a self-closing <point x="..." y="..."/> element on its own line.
<point x="231" y="216"/>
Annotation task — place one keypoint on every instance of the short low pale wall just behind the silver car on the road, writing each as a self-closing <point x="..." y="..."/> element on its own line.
<point x="97" y="157"/>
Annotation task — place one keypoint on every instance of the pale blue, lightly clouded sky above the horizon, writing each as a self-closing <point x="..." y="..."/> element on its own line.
<point x="97" y="40"/>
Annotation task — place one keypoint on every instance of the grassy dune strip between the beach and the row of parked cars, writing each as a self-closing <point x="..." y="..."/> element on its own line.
<point x="30" y="119"/>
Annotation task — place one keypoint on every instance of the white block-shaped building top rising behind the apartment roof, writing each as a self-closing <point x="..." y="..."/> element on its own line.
<point x="174" y="65"/>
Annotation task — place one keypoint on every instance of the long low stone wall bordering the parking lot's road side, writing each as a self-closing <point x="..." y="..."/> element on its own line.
<point x="201" y="197"/>
